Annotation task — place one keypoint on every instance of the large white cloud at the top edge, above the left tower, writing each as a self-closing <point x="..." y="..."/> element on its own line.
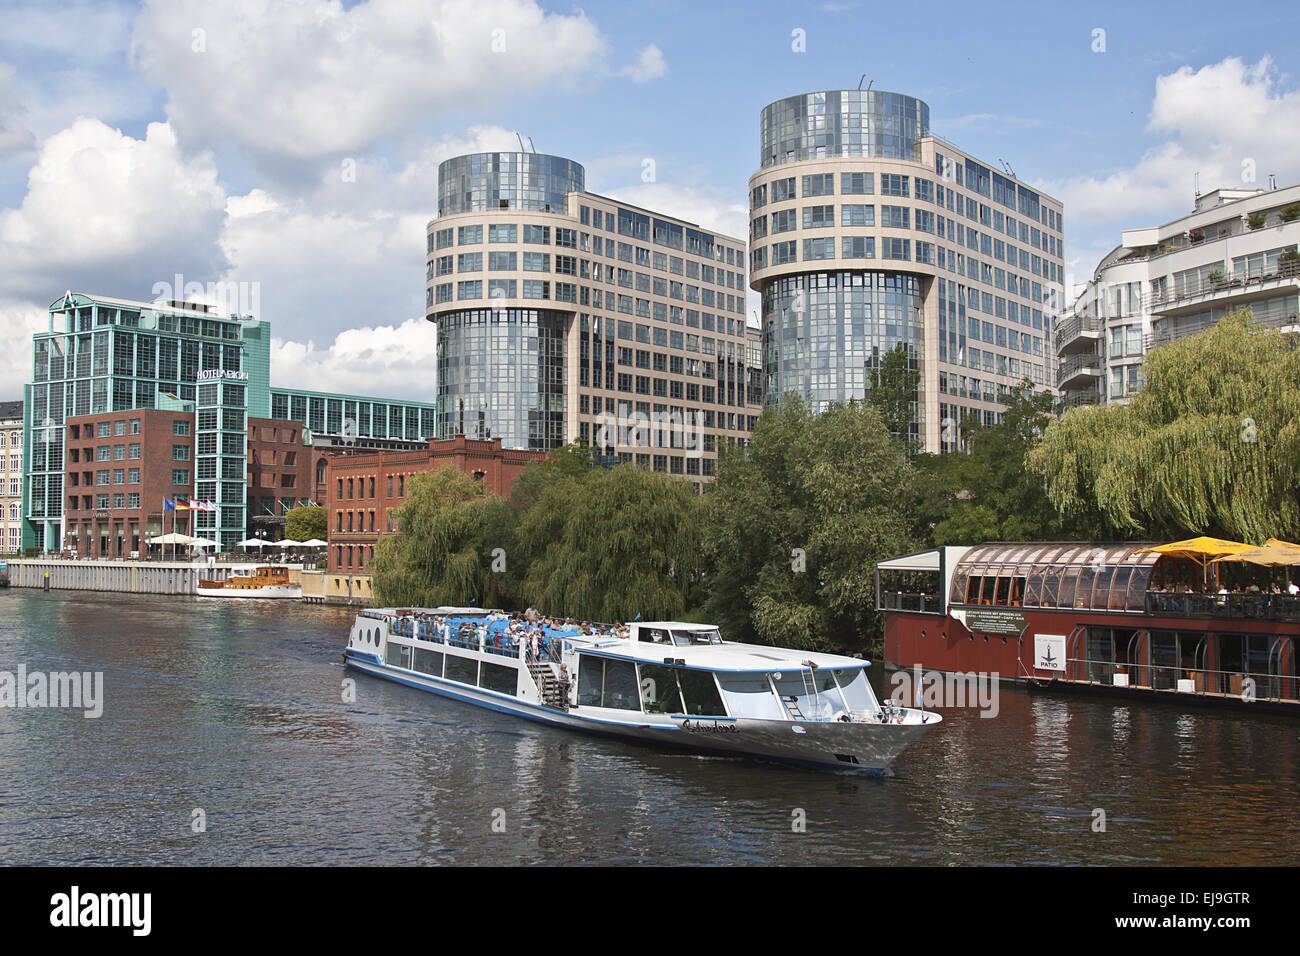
<point x="309" y="79"/>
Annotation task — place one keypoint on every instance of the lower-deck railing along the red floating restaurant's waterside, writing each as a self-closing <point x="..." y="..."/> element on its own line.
<point x="1176" y="678"/>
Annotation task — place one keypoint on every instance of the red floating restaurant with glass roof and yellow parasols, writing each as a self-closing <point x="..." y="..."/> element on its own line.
<point x="1204" y="621"/>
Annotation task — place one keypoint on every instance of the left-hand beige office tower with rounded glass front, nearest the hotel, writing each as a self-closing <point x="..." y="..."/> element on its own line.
<point x="570" y="317"/>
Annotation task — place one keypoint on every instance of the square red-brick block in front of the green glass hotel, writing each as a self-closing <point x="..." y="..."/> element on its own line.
<point x="119" y="469"/>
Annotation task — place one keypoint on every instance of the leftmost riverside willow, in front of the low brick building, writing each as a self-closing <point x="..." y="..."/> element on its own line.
<point x="440" y="556"/>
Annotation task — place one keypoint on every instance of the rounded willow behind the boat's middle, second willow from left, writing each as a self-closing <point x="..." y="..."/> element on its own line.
<point x="613" y="546"/>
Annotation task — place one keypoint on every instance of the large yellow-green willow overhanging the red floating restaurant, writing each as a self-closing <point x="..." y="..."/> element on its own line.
<point x="1210" y="445"/>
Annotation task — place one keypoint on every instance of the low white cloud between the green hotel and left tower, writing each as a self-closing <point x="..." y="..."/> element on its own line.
<point x="385" y="362"/>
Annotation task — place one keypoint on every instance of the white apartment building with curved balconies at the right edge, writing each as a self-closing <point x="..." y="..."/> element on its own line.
<point x="1236" y="250"/>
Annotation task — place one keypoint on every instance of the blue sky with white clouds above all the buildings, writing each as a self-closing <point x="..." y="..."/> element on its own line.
<point x="291" y="149"/>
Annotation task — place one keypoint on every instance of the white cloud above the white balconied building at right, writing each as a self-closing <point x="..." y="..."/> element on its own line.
<point x="1232" y="123"/>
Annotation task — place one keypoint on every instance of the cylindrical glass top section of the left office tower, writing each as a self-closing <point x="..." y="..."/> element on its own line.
<point x="488" y="181"/>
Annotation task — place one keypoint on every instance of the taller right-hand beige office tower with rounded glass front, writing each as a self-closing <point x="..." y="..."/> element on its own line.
<point x="868" y="232"/>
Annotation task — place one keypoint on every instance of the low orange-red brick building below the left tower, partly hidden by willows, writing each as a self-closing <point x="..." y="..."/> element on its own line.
<point x="361" y="490"/>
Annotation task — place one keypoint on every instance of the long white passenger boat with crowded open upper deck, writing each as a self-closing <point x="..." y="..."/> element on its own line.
<point x="665" y="684"/>
